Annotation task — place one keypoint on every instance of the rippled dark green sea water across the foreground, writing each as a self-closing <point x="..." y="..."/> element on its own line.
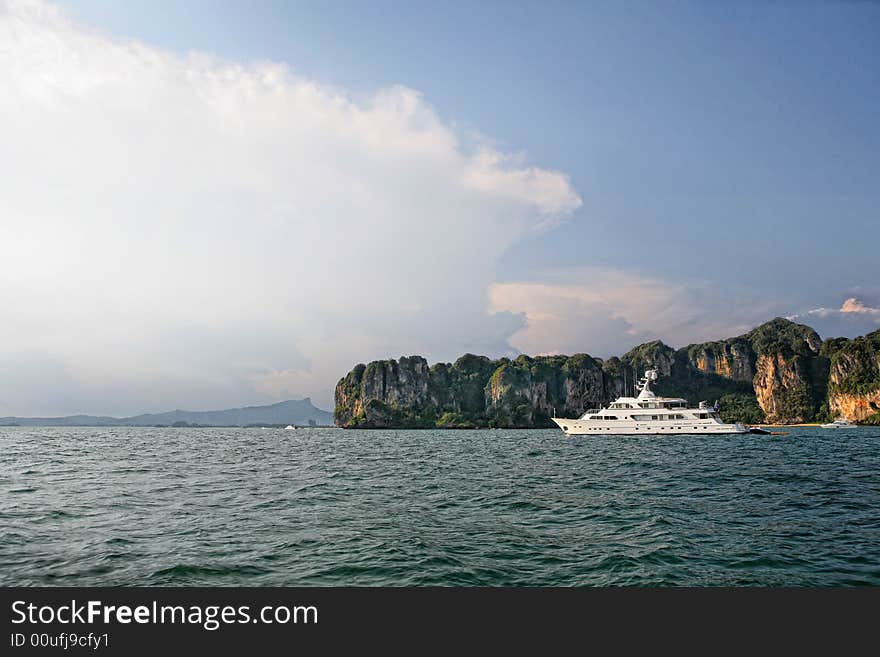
<point x="122" y="506"/>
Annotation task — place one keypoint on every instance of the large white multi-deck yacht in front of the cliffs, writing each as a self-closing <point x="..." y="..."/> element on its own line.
<point x="649" y="415"/>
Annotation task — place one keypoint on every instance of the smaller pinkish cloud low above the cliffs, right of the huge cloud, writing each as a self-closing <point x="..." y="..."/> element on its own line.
<point x="606" y="311"/>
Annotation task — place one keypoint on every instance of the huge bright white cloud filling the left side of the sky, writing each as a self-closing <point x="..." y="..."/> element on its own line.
<point x="182" y="230"/>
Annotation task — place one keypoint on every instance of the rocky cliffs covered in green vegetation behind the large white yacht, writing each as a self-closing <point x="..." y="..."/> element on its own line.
<point x="779" y="372"/>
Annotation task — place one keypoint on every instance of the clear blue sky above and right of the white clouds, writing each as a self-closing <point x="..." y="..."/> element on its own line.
<point x="742" y="128"/>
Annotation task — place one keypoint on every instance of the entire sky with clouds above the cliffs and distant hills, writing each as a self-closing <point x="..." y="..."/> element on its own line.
<point x="214" y="204"/>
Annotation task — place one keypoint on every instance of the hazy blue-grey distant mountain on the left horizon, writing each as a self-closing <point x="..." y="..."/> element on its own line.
<point x="294" y="411"/>
